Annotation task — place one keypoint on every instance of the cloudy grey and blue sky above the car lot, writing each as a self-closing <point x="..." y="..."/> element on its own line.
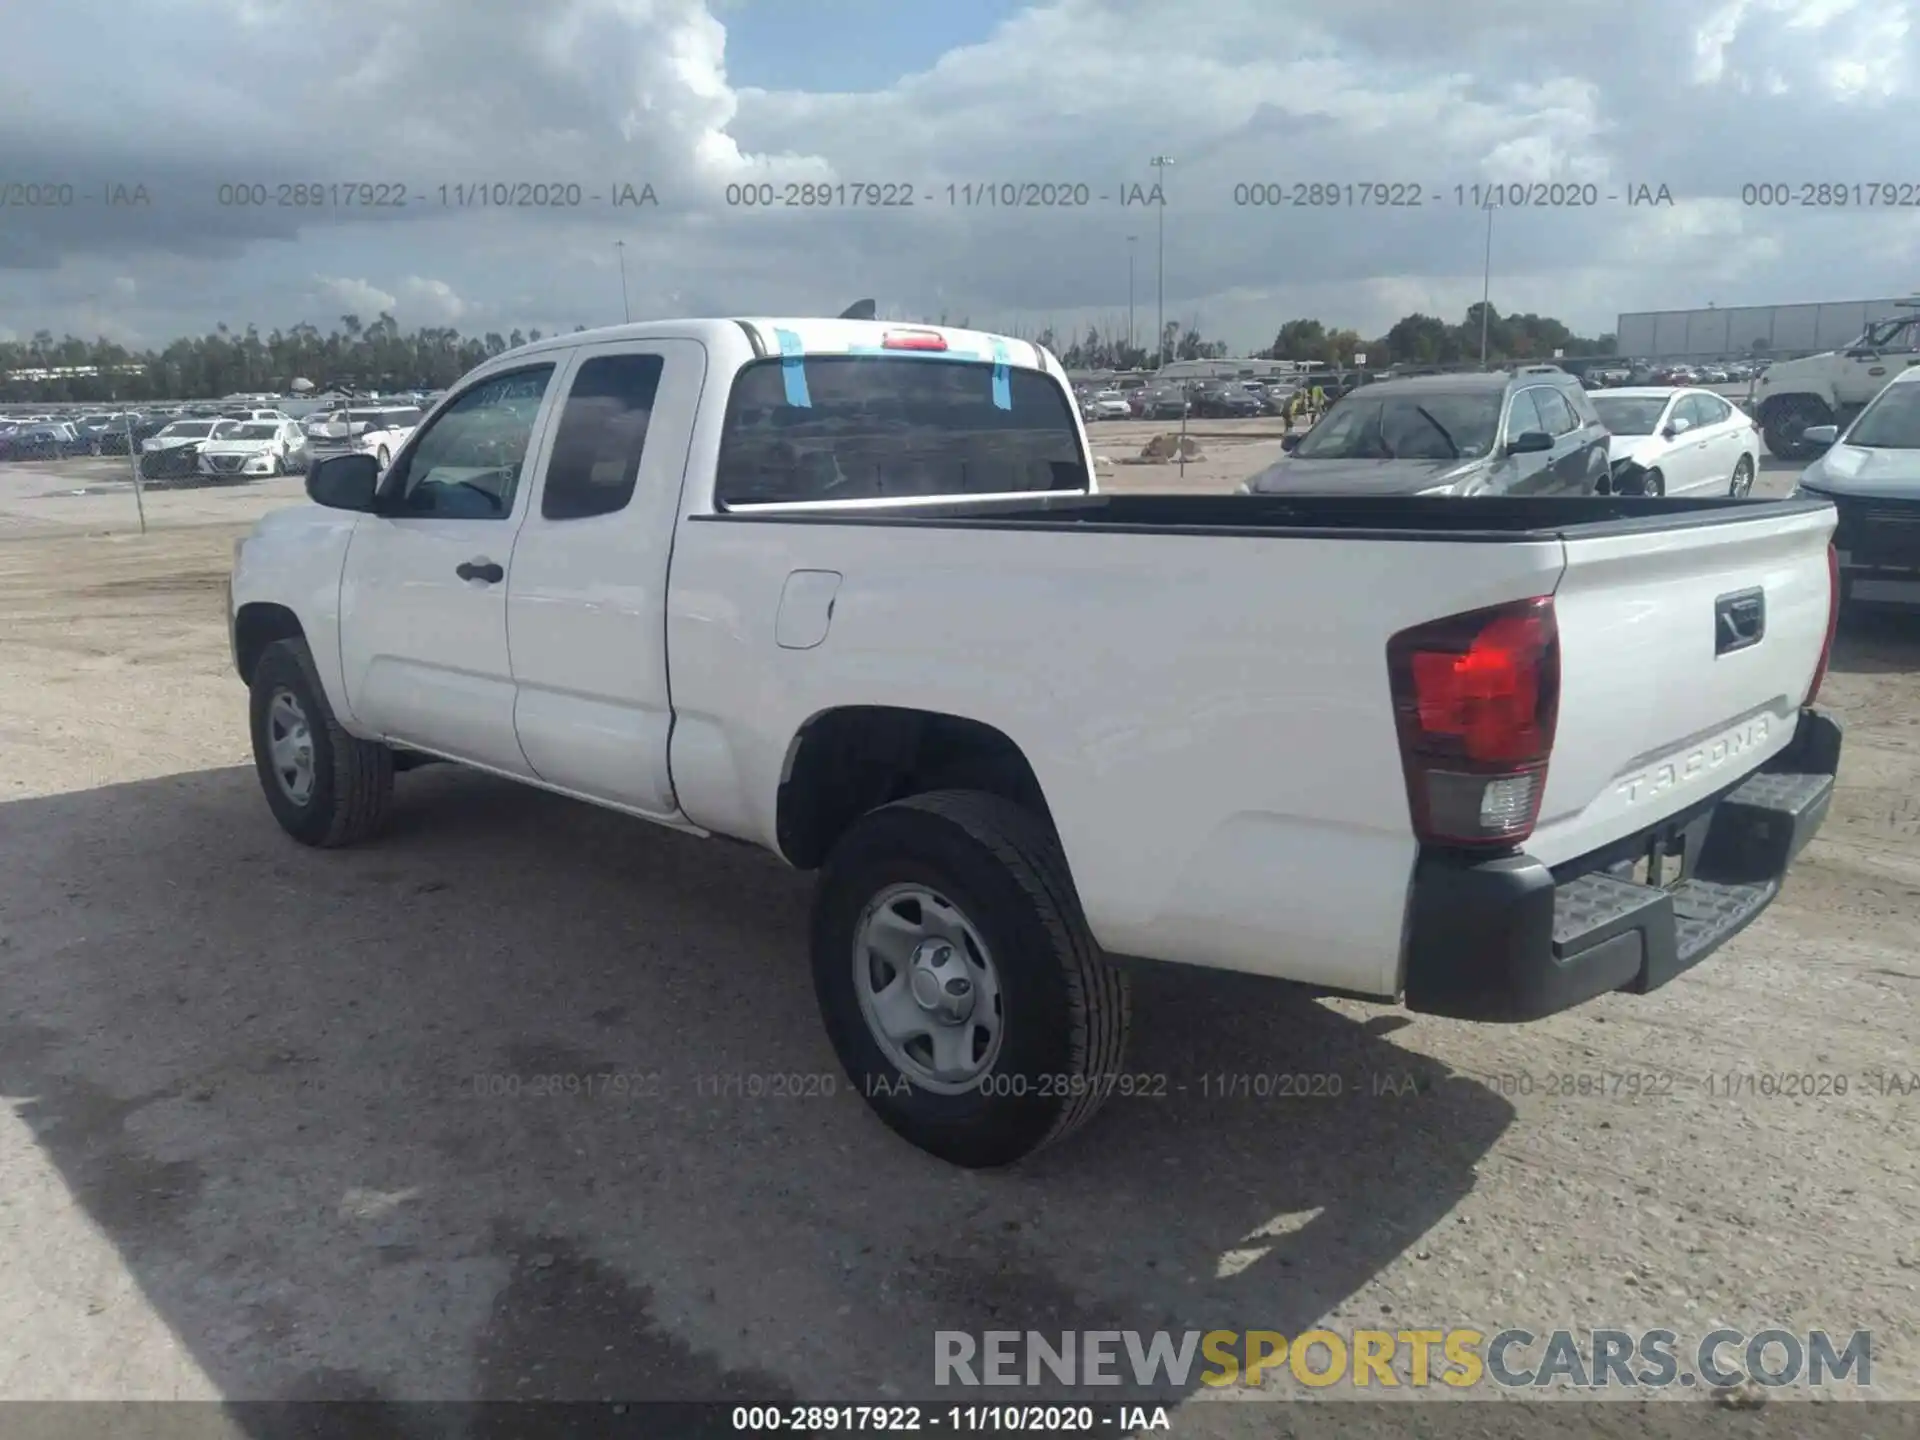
<point x="212" y="105"/>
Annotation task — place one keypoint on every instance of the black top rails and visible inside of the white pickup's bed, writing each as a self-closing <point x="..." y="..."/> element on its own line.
<point x="1322" y="517"/>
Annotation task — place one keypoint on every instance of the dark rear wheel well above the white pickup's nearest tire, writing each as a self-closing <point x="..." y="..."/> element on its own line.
<point x="850" y="761"/>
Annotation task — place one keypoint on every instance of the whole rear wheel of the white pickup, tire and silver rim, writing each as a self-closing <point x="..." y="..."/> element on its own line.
<point x="959" y="984"/>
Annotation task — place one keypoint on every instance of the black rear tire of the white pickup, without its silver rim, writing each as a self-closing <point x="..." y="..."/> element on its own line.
<point x="1065" y="1009"/>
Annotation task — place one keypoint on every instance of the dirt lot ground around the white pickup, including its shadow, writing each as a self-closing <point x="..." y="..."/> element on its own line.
<point x="272" y="1132"/>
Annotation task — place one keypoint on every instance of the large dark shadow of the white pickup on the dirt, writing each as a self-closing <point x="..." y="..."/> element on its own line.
<point x="299" y="1092"/>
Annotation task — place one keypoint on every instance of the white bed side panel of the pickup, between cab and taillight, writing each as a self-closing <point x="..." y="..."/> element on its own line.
<point x="1209" y="715"/>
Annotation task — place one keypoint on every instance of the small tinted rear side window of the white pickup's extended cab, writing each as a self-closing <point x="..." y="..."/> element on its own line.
<point x="602" y="437"/>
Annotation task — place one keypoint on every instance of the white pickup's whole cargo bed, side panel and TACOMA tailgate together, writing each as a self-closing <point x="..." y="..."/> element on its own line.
<point x="1214" y="663"/>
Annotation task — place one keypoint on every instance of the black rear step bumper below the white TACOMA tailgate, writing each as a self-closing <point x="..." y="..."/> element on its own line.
<point x="1510" y="940"/>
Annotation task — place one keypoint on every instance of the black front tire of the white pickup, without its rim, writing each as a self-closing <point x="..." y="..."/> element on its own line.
<point x="352" y="779"/>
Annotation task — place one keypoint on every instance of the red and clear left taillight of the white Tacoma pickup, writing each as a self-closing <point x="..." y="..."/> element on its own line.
<point x="1476" y="700"/>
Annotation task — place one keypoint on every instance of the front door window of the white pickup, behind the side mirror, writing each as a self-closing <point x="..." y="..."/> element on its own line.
<point x="468" y="464"/>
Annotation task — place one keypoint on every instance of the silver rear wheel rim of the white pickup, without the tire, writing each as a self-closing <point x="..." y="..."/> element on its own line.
<point x="928" y="990"/>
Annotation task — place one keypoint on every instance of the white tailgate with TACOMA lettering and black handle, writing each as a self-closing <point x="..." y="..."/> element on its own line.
<point x="1666" y="694"/>
